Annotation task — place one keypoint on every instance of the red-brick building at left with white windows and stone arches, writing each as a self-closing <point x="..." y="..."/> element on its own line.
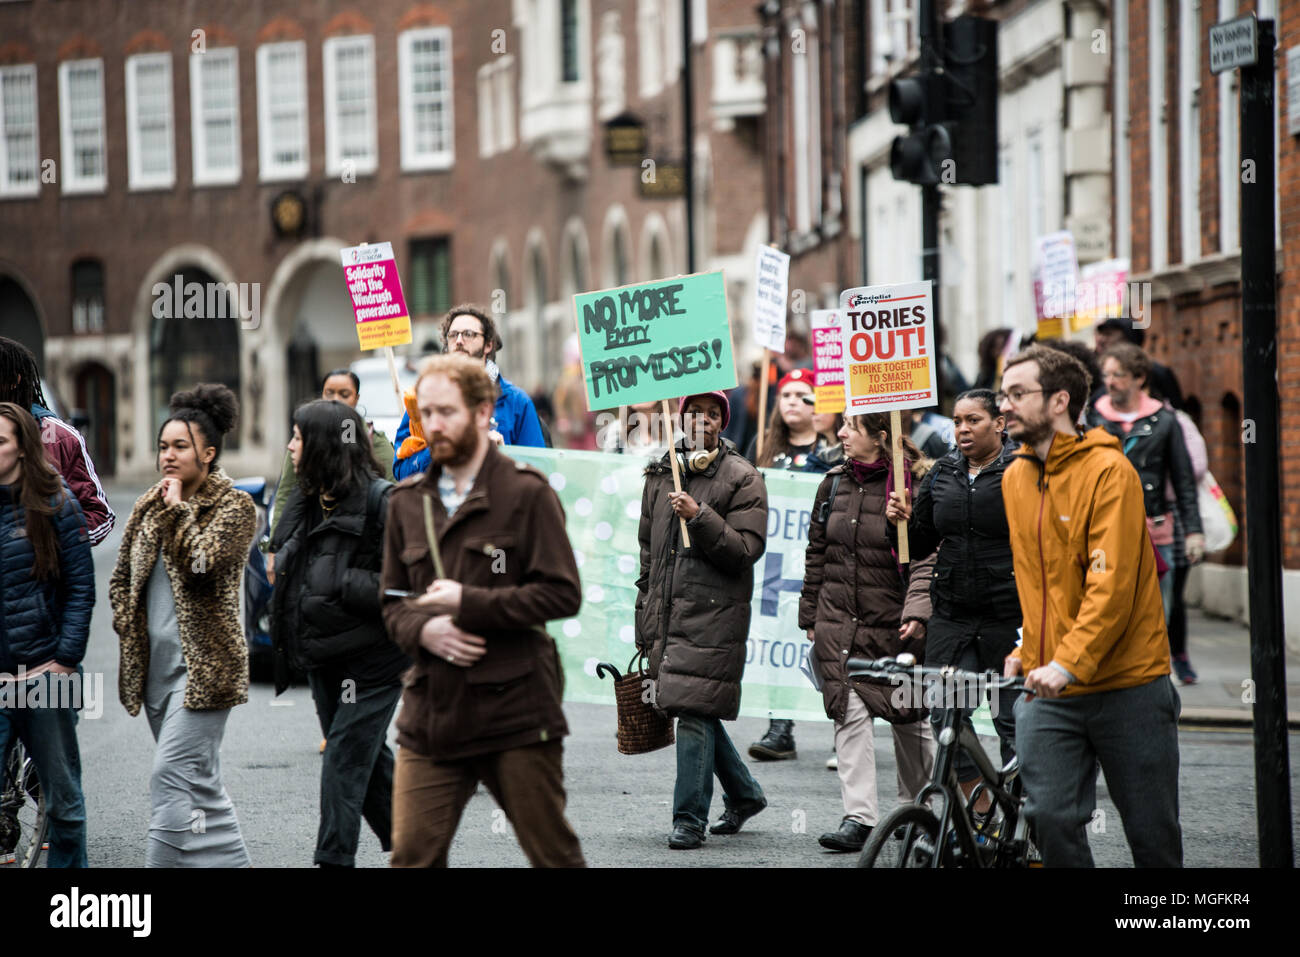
<point x="155" y="145"/>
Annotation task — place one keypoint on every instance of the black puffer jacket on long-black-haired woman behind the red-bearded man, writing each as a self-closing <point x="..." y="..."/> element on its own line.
<point x="326" y="608"/>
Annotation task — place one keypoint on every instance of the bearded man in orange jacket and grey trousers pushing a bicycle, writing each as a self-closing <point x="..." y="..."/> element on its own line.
<point x="1095" y="651"/>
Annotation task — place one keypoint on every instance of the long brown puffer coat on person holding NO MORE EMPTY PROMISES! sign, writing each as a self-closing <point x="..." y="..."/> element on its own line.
<point x="694" y="605"/>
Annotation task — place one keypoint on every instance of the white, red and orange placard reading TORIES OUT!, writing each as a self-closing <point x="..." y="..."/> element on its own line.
<point x="889" y="335"/>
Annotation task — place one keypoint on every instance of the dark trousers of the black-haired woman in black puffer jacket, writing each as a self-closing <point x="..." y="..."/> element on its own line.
<point x="357" y="769"/>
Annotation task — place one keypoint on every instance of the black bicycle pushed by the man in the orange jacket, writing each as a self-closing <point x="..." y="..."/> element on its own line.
<point x="915" y="835"/>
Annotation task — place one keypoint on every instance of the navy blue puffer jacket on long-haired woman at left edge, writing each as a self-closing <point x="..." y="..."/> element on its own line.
<point x="42" y="621"/>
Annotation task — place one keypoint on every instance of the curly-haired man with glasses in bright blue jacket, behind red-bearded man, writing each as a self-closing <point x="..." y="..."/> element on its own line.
<point x="470" y="331"/>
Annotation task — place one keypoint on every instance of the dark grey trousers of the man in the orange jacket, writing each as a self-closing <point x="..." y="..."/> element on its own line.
<point x="1134" y="734"/>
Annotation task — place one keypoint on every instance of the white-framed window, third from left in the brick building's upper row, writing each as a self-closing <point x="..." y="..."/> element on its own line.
<point x="150" y="142"/>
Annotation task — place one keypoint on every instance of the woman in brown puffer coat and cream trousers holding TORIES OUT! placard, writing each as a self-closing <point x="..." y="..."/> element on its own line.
<point x="859" y="603"/>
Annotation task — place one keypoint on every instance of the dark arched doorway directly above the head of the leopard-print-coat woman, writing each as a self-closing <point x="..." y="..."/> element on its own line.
<point x="196" y="341"/>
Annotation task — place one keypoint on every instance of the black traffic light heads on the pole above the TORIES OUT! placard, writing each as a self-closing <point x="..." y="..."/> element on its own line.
<point x="951" y="112"/>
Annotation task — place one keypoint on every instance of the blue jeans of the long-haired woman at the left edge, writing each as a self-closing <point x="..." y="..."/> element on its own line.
<point x="50" y="735"/>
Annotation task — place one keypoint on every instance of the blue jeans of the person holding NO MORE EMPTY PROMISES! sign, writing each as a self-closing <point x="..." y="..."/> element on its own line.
<point x="704" y="751"/>
